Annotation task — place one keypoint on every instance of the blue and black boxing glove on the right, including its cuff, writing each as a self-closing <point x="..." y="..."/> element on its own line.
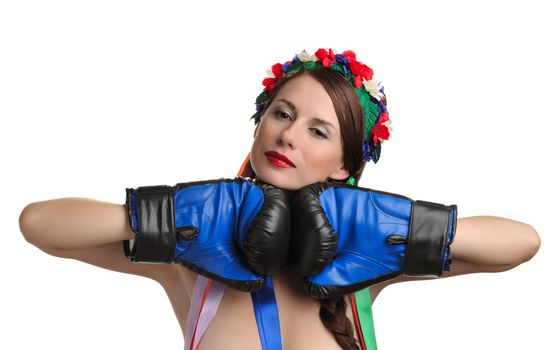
<point x="346" y="238"/>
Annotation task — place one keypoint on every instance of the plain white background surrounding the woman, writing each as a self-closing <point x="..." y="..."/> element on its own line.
<point x="97" y="96"/>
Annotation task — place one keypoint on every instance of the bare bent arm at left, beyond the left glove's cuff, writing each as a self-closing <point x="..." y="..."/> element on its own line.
<point x="87" y="230"/>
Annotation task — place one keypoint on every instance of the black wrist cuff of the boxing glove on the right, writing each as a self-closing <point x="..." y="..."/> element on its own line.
<point x="432" y="228"/>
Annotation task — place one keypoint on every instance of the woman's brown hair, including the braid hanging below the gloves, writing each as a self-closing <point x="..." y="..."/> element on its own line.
<point x="351" y="120"/>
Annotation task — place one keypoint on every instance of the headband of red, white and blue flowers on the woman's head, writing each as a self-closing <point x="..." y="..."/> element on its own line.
<point x="369" y="91"/>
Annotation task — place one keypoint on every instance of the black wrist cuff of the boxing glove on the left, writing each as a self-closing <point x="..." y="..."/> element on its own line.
<point x="151" y="217"/>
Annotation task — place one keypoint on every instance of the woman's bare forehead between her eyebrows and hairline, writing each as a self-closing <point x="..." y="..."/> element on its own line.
<point x="309" y="98"/>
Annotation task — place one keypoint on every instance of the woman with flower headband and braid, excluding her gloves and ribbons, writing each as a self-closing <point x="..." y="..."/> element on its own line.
<point x="313" y="123"/>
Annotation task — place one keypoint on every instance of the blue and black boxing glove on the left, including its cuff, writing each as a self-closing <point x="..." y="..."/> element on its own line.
<point x="235" y="231"/>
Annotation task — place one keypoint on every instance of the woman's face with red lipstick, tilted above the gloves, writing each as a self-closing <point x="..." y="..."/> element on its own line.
<point x="299" y="124"/>
